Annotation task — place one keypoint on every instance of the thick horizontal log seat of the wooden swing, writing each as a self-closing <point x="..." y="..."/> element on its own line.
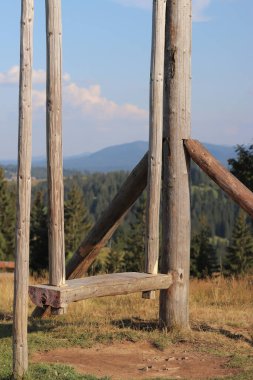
<point x="97" y="286"/>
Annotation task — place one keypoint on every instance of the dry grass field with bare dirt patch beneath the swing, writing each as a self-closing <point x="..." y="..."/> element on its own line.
<point x="118" y="338"/>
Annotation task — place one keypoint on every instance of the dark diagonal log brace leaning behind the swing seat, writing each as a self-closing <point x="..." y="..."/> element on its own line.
<point x="105" y="226"/>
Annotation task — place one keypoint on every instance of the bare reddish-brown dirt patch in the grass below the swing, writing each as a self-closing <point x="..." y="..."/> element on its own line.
<point x="139" y="361"/>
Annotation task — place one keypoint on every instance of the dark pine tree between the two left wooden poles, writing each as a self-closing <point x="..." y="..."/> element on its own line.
<point x="39" y="236"/>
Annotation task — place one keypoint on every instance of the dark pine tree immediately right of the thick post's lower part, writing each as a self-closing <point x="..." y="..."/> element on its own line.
<point x="203" y="256"/>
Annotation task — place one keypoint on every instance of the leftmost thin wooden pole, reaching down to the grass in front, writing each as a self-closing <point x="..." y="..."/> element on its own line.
<point x="21" y="276"/>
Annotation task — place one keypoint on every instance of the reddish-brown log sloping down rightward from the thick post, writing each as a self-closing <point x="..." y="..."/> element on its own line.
<point x="220" y="175"/>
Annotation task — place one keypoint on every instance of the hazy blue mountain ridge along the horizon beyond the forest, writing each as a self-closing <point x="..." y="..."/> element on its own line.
<point x="120" y="157"/>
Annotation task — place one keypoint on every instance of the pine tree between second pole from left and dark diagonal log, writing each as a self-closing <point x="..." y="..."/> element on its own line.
<point x="76" y="219"/>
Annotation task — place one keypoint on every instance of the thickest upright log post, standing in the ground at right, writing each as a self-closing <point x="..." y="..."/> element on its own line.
<point x="176" y="189"/>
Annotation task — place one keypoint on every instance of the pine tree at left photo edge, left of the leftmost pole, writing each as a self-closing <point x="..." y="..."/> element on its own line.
<point x="7" y="219"/>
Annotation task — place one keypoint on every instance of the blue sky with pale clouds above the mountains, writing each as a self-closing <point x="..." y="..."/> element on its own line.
<point x="106" y="63"/>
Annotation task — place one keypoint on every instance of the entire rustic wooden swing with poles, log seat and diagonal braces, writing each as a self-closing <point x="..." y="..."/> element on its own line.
<point x="170" y="149"/>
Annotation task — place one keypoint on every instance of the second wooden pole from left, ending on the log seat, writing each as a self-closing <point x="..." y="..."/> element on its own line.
<point x="54" y="143"/>
